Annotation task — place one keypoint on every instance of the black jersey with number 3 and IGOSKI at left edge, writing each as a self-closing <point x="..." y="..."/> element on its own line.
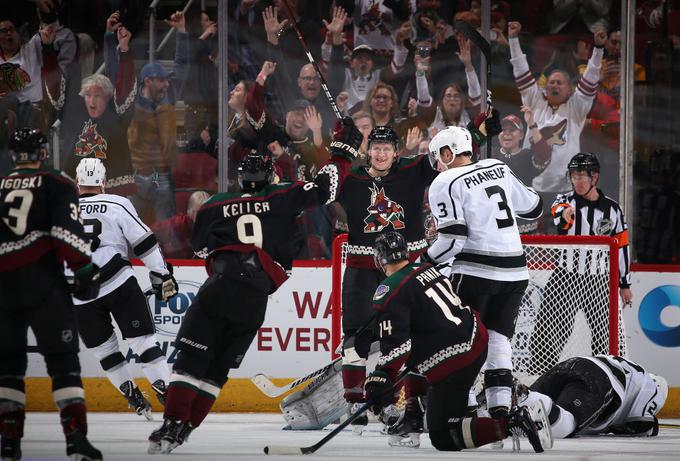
<point x="39" y="214"/>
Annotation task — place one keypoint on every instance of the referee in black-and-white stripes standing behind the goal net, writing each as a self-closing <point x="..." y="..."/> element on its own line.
<point x="583" y="211"/>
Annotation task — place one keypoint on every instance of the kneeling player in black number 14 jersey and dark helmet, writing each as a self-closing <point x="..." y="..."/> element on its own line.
<point x="424" y="324"/>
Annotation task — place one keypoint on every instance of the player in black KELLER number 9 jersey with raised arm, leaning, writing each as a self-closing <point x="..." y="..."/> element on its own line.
<point x="247" y="241"/>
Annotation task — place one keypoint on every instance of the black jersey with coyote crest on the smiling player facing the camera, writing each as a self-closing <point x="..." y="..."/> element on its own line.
<point x="380" y="204"/>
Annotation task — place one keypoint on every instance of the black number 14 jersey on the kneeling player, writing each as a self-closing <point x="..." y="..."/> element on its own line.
<point x="423" y="321"/>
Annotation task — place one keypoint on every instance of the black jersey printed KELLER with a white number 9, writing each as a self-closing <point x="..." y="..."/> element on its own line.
<point x="262" y="222"/>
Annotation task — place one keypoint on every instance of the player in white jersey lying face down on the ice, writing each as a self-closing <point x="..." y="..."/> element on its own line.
<point x="600" y="395"/>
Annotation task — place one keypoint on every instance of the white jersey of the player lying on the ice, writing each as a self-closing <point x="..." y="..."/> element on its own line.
<point x="636" y="390"/>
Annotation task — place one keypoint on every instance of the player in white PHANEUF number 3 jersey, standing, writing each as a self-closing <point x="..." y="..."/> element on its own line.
<point x="475" y="205"/>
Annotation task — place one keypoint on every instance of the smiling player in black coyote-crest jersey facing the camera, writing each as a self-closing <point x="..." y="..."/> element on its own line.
<point x="386" y="195"/>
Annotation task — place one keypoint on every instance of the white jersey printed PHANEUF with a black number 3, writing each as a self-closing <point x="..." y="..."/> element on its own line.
<point x="475" y="208"/>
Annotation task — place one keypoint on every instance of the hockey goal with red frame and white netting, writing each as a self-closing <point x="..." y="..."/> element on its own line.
<point x="570" y="308"/>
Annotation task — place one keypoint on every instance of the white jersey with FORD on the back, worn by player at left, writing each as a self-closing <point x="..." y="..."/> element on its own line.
<point x="113" y="226"/>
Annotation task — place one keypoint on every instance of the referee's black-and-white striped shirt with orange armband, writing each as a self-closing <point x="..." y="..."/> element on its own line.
<point x="600" y="217"/>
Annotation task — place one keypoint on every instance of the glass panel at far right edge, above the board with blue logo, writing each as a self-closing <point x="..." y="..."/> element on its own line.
<point x="656" y="201"/>
